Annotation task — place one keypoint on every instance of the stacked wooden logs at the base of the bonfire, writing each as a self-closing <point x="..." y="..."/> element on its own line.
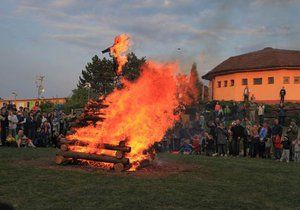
<point x="119" y="161"/>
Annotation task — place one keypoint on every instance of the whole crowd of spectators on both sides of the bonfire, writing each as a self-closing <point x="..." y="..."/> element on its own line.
<point x="218" y="130"/>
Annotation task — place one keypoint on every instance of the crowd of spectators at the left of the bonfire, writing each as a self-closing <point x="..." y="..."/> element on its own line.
<point x="24" y="127"/>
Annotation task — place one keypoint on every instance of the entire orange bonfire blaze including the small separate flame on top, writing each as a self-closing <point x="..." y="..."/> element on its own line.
<point x="137" y="116"/>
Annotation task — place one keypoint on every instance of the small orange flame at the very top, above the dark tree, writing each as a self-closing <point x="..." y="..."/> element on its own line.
<point x="120" y="46"/>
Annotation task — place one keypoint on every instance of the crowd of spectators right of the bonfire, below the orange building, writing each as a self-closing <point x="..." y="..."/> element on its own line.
<point x="235" y="130"/>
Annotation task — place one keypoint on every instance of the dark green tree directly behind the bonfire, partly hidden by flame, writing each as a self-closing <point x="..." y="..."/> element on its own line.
<point x="100" y="76"/>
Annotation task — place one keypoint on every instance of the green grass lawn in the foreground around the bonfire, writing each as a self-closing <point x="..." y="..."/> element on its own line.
<point x="30" y="180"/>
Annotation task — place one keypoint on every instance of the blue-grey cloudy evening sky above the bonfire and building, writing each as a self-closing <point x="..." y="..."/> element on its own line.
<point x="57" y="38"/>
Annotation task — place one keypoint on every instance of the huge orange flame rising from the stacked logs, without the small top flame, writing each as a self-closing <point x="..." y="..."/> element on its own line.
<point x="141" y="112"/>
